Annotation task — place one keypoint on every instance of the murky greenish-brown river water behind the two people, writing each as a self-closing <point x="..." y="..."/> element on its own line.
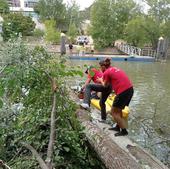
<point x="149" y="121"/>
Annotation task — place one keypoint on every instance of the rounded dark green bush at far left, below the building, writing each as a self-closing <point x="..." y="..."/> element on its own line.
<point x="15" y="24"/>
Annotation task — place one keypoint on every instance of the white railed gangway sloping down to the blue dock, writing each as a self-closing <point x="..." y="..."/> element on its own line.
<point x="135" y="51"/>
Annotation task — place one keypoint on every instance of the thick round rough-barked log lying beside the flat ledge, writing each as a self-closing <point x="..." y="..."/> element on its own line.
<point x="110" y="153"/>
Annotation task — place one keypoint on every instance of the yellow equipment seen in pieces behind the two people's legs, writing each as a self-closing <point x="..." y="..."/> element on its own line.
<point x="109" y="102"/>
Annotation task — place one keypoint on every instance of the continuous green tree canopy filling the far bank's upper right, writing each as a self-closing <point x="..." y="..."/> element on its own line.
<point x="112" y="20"/>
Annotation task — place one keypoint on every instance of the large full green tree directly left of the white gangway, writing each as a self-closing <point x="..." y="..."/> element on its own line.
<point x="108" y="19"/>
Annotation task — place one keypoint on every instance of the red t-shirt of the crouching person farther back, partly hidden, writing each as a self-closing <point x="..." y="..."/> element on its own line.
<point x="95" y="74"/>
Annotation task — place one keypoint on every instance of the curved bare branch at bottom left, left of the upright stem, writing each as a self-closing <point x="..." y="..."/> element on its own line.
<point x="35" y="153"/>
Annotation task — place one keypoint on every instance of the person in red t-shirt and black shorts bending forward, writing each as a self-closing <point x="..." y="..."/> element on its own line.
<point x="123" y="89"/>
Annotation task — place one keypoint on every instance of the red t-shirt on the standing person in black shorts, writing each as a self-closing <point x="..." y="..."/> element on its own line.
<point x="119" y="80"/>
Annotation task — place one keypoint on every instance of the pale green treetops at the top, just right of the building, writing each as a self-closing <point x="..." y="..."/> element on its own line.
<point x="58" y="11"/>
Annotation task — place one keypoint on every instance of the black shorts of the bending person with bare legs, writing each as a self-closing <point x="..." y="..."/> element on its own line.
<point x="123" y="99"/>
